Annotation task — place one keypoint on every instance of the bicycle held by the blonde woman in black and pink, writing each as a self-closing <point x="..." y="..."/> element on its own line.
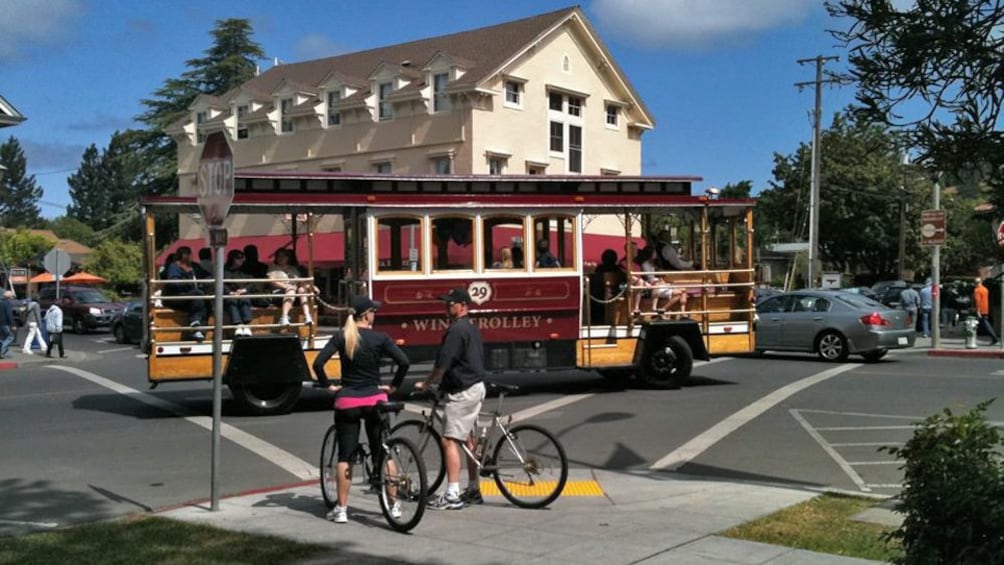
<point x="400" y="479"/>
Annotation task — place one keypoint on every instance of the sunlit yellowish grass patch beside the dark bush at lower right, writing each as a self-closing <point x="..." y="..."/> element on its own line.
<point x="824" y="524"/>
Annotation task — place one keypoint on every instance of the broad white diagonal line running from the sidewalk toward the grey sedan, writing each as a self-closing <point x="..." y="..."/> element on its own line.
<point x="702" y="443"/>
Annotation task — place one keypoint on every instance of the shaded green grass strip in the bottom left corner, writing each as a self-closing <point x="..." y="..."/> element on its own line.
<point x="151" y="540"/>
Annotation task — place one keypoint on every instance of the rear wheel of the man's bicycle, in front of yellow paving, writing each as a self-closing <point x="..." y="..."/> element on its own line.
<point x="530" y="467"/>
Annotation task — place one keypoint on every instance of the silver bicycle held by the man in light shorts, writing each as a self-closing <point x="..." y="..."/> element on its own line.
<point x="529" y="464"/>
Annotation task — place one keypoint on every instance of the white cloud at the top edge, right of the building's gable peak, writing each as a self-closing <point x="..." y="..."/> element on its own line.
<point x="696" y="24"/>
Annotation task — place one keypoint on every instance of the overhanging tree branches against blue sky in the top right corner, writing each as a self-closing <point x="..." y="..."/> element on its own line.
<point x="935" y="72"/>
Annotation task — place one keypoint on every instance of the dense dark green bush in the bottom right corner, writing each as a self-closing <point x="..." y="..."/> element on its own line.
<point x="953" y="496"/>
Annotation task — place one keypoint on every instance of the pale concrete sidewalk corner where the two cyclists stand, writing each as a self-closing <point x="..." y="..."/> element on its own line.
<point x="641" y="518"/>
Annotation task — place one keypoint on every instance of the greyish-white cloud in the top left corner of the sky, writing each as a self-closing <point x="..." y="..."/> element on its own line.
<point x="28" y="24"/>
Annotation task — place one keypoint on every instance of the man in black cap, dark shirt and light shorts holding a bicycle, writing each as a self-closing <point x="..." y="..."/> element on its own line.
<point x="460" y="367"/>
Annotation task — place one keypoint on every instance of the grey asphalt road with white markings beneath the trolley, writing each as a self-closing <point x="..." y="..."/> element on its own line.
<point x="88" y="440"/>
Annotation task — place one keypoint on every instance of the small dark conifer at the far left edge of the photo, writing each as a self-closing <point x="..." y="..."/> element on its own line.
<point x="20" y="195"/>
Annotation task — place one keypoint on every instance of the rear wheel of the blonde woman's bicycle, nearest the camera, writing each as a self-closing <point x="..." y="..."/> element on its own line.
<point x="405" y="485"/>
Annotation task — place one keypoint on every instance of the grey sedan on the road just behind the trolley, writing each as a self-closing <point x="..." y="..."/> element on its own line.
<point x="833" y="325"/>
